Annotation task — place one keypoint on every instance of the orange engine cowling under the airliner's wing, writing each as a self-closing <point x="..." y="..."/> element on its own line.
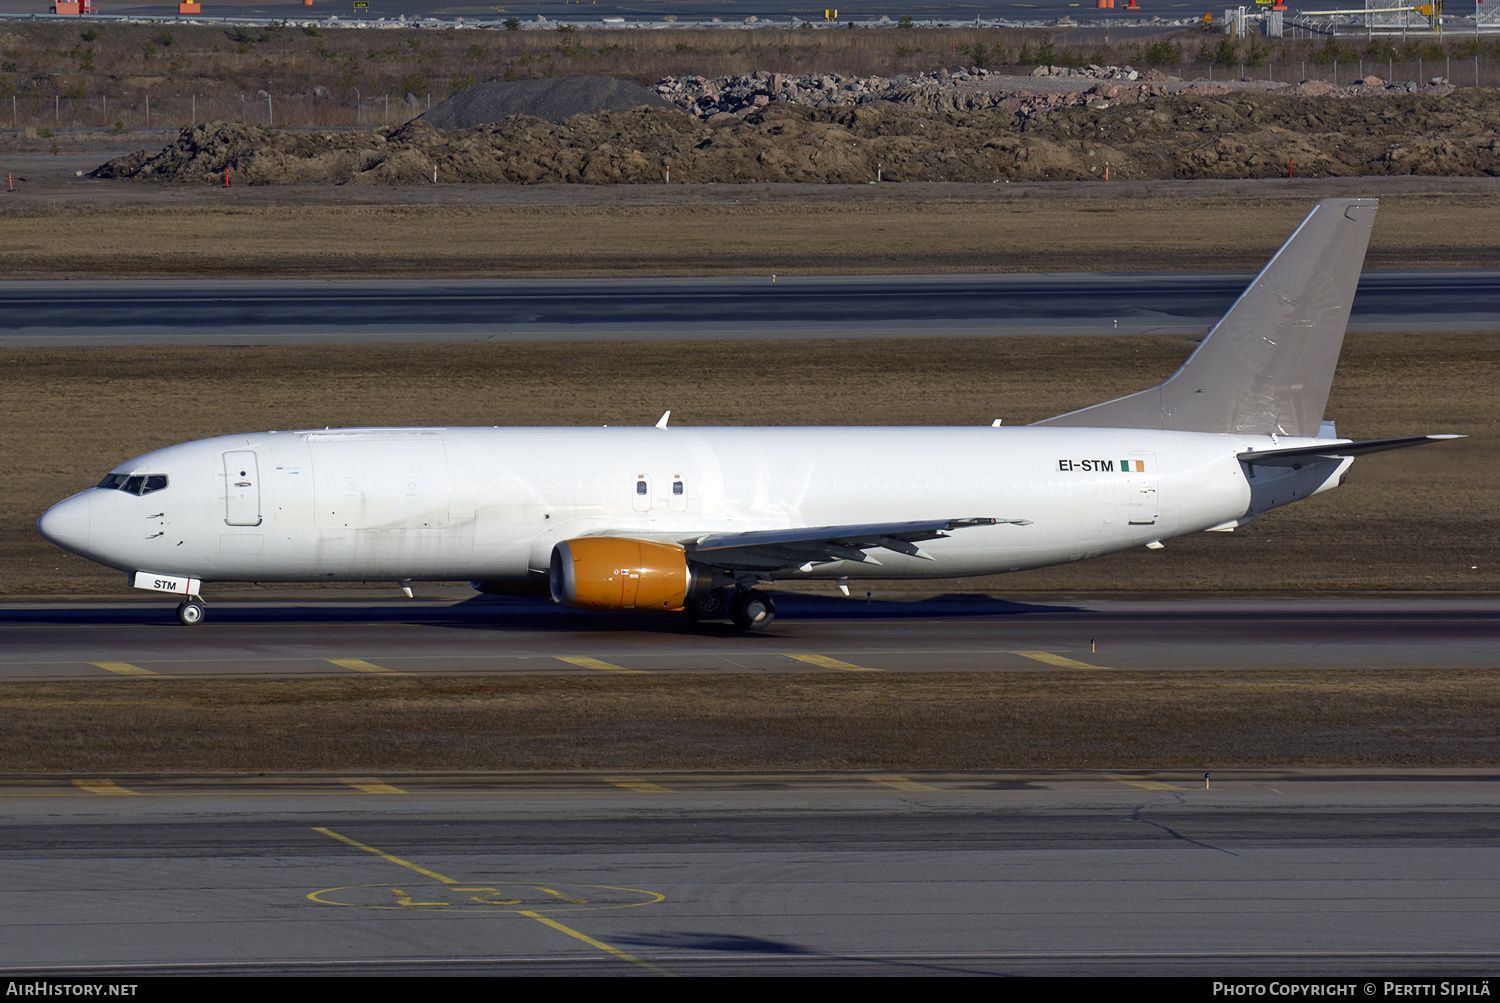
<point x="611" y="573"/>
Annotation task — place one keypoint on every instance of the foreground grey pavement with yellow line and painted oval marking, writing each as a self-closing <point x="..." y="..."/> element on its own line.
<point x="1261" y="876"/>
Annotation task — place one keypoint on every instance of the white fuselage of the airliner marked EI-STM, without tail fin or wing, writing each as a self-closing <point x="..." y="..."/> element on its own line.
<point x="485" y="503"/>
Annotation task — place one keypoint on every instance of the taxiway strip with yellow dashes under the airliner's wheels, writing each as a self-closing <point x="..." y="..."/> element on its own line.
<point x="455" y="632"/>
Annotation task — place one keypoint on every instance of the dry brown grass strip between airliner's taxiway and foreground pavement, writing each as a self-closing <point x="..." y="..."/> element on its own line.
<point x="932" y="722"/>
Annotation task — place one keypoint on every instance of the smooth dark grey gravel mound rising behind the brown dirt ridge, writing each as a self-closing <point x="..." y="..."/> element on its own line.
<point x="550" y="100"/>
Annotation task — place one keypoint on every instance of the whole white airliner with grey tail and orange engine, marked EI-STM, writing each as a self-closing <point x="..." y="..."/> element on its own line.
<point x="679" y="518"/>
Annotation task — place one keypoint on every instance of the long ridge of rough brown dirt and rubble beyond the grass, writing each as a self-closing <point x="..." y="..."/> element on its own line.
<point x="1139" y="134"/>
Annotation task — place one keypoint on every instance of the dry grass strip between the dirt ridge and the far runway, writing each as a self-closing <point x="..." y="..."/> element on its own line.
<point x="122" y="230"/>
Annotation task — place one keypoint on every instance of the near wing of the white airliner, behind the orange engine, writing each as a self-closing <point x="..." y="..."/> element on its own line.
<point x="808" y="546"/>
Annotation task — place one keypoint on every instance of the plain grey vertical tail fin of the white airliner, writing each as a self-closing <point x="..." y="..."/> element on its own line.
<point x="1268" y="365"/>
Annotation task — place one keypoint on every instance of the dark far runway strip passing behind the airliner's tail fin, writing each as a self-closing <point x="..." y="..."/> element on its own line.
<point x="77" y="314"/>
